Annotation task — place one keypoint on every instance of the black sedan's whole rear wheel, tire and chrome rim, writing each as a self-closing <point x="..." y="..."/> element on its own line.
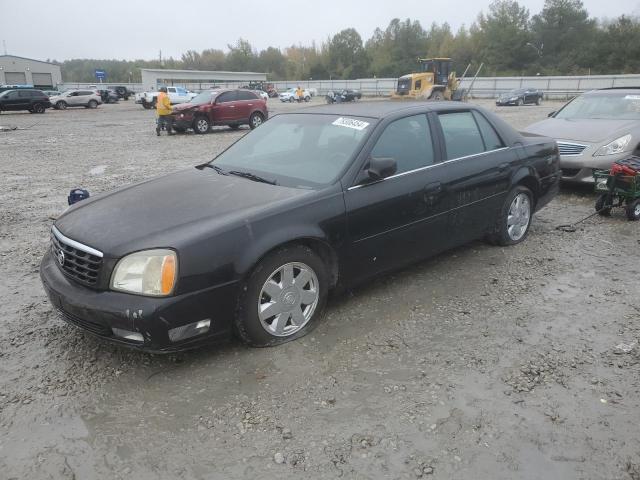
<point x="514" y="220"/>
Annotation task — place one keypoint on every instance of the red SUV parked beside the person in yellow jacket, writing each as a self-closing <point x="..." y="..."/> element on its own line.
<point x="220" y="107"/>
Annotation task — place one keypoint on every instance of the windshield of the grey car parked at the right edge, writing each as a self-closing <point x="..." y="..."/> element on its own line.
<point x="621" y="106"/>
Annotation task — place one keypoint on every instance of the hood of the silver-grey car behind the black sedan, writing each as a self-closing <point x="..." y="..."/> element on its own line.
<point x="583" y="130"/>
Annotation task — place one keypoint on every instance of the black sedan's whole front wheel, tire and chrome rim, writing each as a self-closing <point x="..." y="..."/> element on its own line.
<point x="283" y="298"/>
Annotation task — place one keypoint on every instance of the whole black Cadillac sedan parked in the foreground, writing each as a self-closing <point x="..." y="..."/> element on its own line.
<point x="312" y="201"/>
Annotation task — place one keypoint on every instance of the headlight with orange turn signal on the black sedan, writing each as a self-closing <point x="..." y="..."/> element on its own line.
<point x="150" y="272"/>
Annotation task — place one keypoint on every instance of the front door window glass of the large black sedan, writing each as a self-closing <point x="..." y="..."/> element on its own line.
<point x="408" y="141"/>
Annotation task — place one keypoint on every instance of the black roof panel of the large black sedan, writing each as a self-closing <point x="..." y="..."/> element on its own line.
<point x="384" y="108"/>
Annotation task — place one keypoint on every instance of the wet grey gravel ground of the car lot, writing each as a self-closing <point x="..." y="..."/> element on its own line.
<point x="483" y="362"/>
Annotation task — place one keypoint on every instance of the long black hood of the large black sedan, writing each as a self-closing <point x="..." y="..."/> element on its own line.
<point x="168" y="211"/>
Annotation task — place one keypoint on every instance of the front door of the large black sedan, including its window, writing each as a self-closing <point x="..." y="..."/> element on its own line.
<point x="401" y="218"/>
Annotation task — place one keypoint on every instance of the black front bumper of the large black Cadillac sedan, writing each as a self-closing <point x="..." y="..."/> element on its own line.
<point x="100" y="312"/>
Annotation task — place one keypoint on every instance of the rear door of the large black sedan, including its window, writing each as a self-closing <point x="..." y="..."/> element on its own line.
<point x="476" y="173"/>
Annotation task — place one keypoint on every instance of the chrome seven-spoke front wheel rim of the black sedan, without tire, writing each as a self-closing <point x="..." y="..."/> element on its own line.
<point x="288" y="299"/>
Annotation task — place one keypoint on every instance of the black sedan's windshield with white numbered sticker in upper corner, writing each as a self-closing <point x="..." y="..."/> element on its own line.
<point x="298" y="150"/>
